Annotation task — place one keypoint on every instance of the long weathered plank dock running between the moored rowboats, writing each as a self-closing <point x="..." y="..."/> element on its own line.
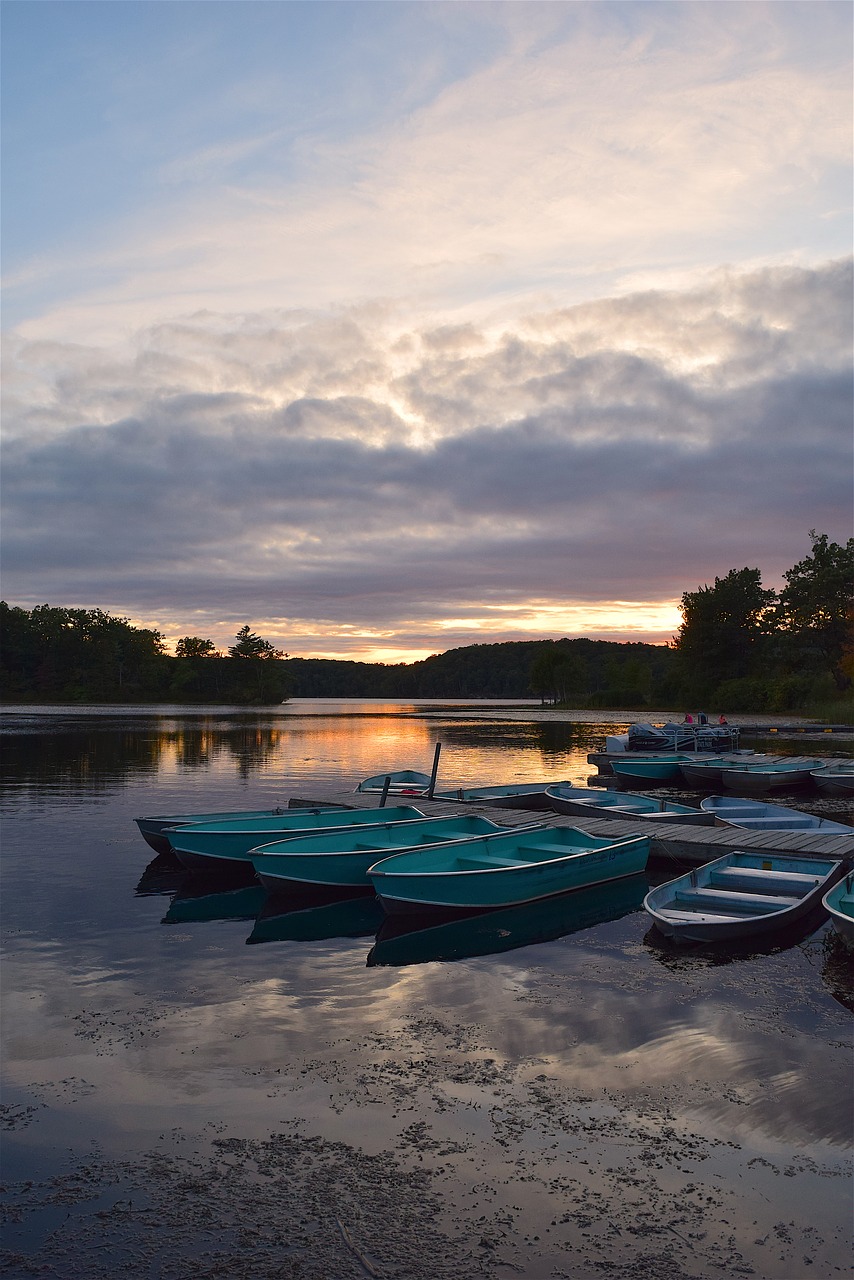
<point x="683" y="843"/>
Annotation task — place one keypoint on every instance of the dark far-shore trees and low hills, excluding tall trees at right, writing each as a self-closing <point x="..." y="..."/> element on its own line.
<point x="88" y="656"/>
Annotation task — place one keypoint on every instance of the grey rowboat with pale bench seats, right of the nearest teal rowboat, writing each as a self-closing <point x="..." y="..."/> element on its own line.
<point x="741" y="897"/>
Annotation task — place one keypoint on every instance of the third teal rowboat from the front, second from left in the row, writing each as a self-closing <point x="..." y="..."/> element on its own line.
<point x="217" y="845"/>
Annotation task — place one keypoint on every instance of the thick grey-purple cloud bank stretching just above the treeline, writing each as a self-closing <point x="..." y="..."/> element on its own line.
<point x="344" y="473"/>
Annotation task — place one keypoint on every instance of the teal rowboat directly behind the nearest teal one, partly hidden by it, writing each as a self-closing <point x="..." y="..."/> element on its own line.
<point x="341" y="860"/>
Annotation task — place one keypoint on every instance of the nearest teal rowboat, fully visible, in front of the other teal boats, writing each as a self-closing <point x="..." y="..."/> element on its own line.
<point x="504" y="871"/>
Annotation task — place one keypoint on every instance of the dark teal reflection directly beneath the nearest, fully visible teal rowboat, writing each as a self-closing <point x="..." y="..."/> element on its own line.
<point x="413" y="940"/>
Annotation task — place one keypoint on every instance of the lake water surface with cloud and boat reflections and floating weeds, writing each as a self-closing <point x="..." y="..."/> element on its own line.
<point x="533" y="1094"/>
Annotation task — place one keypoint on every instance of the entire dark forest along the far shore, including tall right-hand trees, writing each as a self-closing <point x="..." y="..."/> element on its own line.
<point x="741" y="647"/>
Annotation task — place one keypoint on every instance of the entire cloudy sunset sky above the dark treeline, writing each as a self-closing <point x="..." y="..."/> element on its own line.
<point x="391" y="328"/>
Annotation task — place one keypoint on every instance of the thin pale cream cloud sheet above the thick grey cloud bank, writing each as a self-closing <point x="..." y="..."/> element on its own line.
<point x="591" y="145"/>
